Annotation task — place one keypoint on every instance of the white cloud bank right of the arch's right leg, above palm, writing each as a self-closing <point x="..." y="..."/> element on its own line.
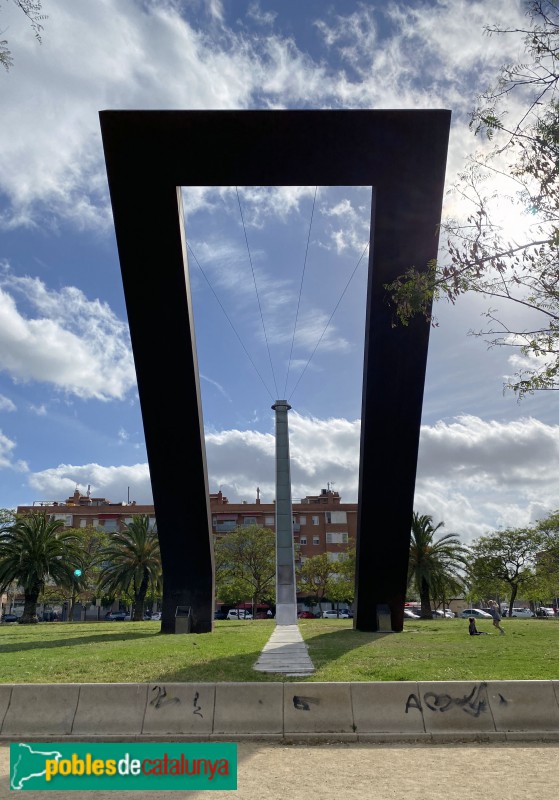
<point x="478" y="475"/>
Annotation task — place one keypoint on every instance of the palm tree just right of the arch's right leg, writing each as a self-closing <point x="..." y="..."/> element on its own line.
<point x="433" y="562"/>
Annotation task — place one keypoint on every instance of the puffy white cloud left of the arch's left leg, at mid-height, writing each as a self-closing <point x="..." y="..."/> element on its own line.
<point x="76" y="344"/>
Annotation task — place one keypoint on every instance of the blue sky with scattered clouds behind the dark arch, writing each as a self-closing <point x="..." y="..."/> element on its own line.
<point x="69" y="411"/>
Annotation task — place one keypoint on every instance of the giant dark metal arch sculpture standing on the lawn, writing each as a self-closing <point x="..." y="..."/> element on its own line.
<point x="149" y="154"/>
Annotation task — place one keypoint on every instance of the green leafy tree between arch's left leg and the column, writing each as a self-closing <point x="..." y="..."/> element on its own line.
<point x="246" y="564"/>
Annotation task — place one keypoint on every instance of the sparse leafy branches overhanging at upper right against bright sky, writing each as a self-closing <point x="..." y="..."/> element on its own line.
<point x="480" y="255"/>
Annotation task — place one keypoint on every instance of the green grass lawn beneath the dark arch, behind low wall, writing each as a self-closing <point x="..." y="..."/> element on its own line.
<point x="121" y="652"/>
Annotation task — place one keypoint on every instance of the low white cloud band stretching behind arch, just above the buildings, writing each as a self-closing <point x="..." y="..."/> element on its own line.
<point x="474" y="475"/>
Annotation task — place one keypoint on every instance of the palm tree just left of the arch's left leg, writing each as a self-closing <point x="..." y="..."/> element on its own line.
<point x="133" y="561"/>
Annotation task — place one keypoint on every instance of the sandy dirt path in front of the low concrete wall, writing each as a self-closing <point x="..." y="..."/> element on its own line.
<point x="368" y="772"/>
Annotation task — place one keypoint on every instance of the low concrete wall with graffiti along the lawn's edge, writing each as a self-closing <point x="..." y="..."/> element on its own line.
<point x="391" y="712"/>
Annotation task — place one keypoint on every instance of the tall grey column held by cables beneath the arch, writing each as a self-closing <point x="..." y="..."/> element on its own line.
<point x="286" y="591"/>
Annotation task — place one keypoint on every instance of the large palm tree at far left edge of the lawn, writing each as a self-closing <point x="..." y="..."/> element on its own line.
<point x="33" y="550"/>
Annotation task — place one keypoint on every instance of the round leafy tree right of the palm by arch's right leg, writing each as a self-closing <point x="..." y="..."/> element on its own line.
<point x="504" y="562"/>
